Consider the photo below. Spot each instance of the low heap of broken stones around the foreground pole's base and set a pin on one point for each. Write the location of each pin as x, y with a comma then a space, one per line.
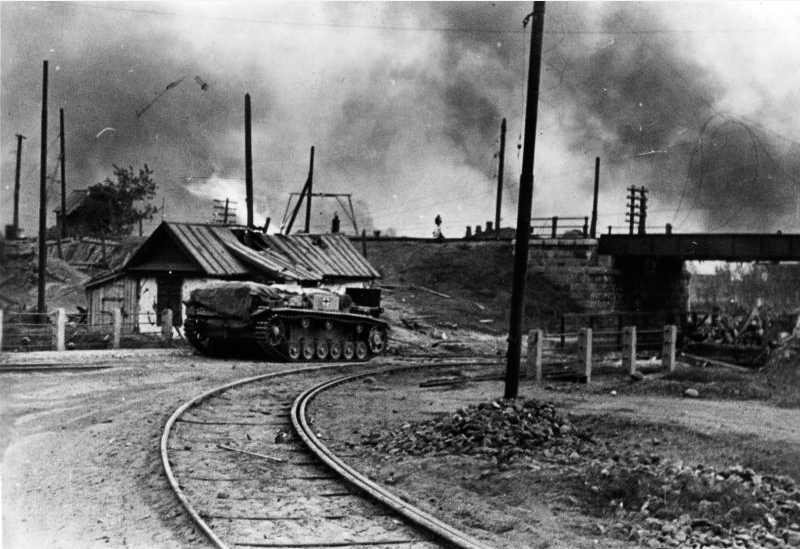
503, 429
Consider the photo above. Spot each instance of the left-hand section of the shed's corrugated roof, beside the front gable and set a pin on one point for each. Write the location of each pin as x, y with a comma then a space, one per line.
204, 245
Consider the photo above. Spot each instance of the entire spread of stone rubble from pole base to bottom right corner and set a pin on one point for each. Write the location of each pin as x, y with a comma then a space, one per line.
650, 501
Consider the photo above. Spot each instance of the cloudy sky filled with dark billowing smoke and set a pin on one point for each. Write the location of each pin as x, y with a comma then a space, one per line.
698, 102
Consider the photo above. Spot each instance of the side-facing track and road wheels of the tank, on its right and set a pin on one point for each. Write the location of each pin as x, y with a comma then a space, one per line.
313, 337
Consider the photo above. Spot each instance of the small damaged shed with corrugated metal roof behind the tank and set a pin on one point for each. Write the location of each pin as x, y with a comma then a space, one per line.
178, 257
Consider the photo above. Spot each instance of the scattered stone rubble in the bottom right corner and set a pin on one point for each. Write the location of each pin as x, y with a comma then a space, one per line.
676, 505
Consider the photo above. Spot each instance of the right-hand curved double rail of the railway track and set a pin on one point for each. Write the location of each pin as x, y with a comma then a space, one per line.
419, 517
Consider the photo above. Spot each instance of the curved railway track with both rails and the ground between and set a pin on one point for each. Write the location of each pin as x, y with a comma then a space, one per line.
247, 466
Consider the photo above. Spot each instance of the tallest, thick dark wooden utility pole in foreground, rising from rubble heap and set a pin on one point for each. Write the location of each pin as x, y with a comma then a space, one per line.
524, 208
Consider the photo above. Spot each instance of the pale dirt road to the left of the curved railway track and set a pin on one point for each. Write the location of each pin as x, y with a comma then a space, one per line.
80, 462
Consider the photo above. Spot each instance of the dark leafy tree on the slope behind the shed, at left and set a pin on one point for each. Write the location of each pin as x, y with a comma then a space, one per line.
115, 208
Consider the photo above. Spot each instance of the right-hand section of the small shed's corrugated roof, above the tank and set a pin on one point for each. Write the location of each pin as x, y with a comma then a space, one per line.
330, 255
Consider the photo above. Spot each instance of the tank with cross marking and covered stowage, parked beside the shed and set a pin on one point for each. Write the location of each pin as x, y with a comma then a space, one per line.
303, 325
